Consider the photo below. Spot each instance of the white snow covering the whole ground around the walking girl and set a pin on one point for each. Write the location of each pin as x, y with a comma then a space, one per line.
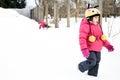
28, 53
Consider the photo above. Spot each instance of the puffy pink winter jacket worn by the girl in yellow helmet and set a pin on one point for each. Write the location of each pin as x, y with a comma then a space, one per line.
85, 32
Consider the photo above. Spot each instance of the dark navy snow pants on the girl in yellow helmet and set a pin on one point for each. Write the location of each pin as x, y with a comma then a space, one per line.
91, 64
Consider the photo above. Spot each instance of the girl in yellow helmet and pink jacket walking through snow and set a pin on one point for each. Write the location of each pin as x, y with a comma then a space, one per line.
92, 39
